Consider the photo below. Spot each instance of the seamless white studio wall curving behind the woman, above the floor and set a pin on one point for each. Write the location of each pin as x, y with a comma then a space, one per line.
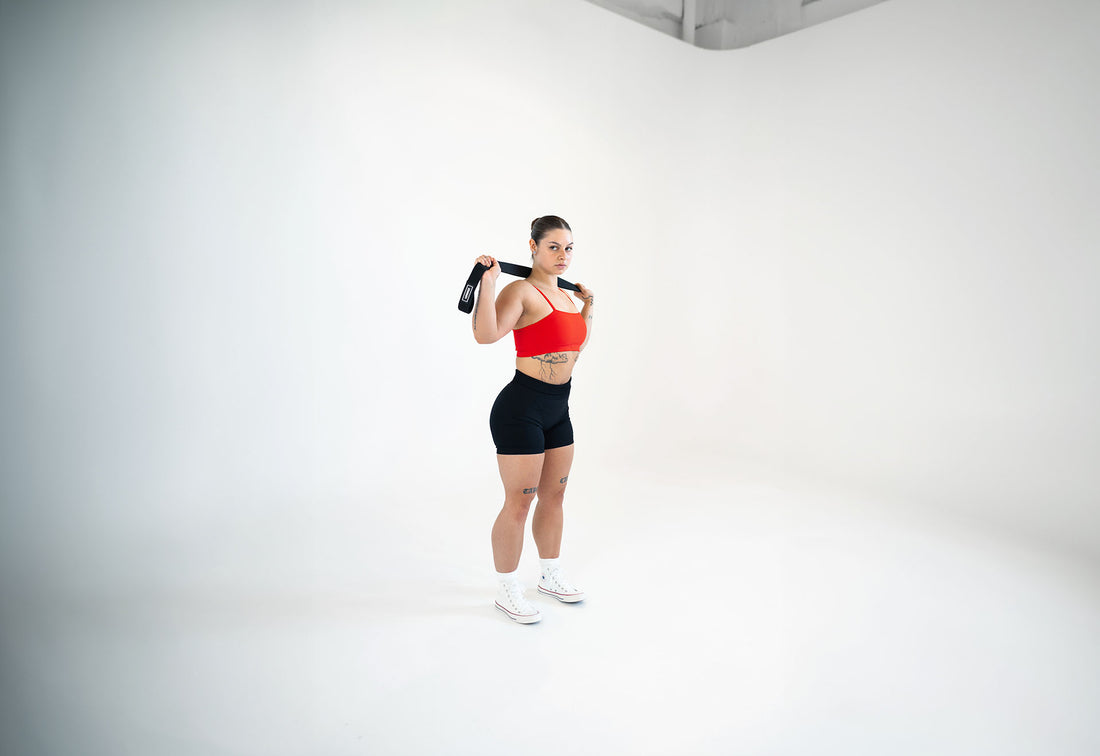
236, 235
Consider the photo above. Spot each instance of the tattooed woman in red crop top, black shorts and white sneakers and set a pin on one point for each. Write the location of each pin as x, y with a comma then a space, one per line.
531, 421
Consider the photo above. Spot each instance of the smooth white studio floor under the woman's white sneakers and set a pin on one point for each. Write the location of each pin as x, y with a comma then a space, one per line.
723, 619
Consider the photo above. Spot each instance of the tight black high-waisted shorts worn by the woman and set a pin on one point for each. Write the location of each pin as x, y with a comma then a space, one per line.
531, 417
